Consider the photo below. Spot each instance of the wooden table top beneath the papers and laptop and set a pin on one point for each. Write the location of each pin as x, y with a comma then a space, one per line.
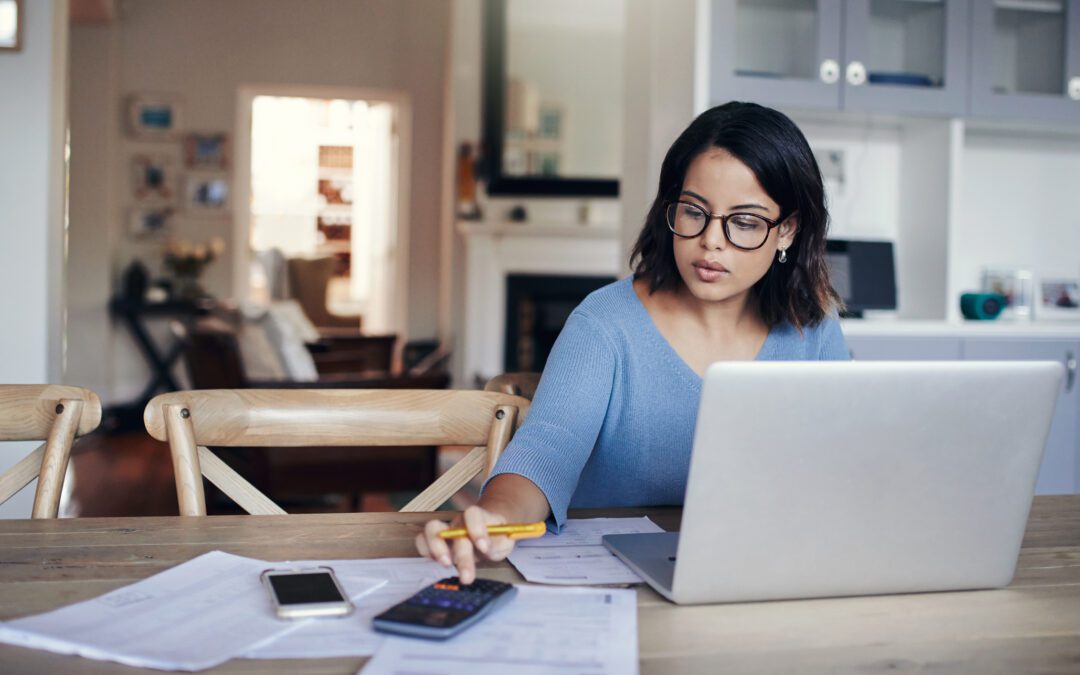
1034, 626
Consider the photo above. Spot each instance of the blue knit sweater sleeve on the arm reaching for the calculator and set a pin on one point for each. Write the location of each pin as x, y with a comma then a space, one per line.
568, 413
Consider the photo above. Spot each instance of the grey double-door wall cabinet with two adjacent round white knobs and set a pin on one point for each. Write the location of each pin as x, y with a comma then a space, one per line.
896, 57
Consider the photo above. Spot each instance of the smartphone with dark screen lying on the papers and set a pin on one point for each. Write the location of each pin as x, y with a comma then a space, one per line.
301, 593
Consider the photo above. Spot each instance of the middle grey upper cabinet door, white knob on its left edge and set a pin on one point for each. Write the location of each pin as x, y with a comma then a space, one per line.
907, 58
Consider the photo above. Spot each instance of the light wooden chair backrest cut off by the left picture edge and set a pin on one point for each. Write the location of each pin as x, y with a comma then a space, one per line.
51, 413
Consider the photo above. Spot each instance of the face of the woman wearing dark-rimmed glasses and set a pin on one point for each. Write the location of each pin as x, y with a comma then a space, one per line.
712, 269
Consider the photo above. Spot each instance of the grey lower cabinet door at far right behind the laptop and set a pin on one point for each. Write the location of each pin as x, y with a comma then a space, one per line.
1061, 463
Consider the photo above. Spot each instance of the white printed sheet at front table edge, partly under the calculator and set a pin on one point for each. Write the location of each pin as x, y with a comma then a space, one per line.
543, 631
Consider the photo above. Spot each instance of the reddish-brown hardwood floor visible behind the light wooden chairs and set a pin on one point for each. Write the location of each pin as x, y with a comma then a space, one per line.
130, 474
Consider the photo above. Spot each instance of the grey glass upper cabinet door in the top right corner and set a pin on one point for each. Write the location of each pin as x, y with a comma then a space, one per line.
1023, 61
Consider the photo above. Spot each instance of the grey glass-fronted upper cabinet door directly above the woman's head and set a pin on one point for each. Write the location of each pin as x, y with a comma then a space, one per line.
775, 52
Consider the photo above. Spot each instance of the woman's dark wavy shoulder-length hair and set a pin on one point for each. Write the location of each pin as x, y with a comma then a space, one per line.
771, 144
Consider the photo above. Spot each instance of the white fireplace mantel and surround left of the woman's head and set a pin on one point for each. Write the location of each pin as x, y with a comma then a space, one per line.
495, 250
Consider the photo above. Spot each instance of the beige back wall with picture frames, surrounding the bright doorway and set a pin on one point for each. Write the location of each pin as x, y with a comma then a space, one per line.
205, 51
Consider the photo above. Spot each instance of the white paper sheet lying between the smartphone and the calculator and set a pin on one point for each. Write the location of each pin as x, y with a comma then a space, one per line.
353, 636
